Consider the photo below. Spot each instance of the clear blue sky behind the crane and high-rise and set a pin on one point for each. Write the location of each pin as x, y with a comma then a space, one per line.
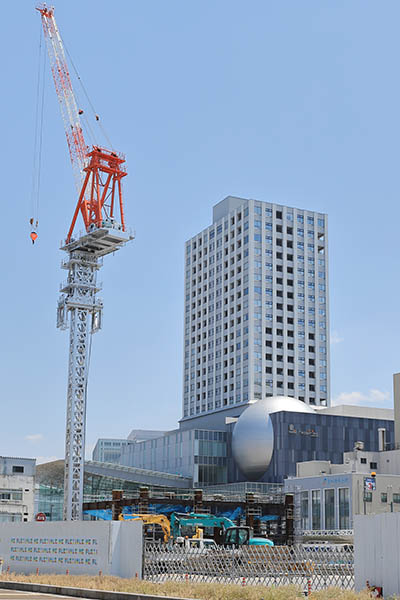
289, 102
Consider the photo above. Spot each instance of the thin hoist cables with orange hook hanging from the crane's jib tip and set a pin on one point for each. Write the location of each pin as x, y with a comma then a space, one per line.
38, 141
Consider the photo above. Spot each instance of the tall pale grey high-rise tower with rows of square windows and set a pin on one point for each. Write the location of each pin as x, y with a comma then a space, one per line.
256, 308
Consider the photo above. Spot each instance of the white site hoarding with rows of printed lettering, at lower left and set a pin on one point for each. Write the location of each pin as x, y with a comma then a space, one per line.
81, 547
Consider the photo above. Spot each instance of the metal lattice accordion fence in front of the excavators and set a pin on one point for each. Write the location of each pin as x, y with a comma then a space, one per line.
316, 566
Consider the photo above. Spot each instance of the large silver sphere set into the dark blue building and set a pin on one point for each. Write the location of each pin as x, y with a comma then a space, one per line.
253, 435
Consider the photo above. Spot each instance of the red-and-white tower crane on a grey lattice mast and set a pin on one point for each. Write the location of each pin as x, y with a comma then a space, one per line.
98, 174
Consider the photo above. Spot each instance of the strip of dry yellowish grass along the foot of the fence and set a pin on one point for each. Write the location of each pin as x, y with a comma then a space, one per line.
200, 591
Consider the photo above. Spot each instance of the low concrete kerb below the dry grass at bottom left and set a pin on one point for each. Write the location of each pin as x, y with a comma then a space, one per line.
79, 592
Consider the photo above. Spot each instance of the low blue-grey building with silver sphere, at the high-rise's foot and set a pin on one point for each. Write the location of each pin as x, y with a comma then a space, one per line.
276, 436
